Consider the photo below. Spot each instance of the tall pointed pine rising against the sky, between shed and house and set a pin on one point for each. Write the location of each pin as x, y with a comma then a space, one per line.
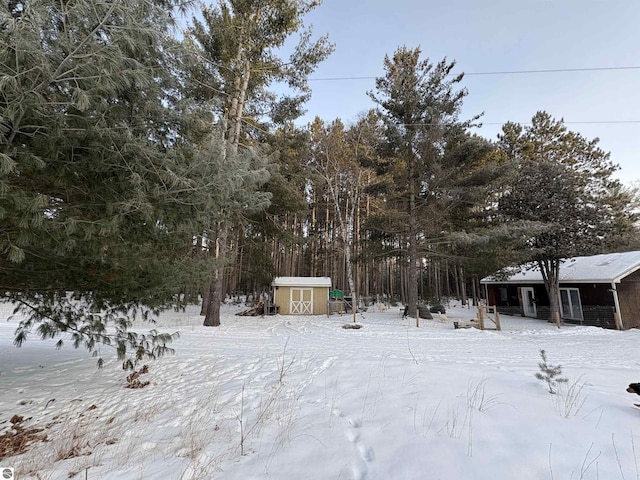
419, 105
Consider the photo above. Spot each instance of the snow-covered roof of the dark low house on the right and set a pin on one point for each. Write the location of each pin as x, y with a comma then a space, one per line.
607, 268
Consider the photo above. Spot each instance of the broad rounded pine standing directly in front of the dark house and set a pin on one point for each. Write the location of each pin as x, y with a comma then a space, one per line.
563, 187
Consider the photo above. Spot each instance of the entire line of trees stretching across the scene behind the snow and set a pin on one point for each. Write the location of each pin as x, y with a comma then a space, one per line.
142, 169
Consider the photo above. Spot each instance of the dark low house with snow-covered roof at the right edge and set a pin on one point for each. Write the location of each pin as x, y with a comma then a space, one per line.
599, 290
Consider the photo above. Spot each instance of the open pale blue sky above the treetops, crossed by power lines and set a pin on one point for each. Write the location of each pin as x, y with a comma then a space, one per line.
598, 39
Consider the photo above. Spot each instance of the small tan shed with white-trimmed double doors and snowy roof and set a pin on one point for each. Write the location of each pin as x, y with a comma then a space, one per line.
301, 295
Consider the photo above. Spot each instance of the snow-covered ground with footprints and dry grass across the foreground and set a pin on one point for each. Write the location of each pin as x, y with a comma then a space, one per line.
288, 397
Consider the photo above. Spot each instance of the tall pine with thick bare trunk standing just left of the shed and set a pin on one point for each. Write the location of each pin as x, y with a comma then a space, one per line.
237, 44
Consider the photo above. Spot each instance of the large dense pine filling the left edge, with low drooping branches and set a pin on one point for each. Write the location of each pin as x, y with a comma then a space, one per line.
100, 193
